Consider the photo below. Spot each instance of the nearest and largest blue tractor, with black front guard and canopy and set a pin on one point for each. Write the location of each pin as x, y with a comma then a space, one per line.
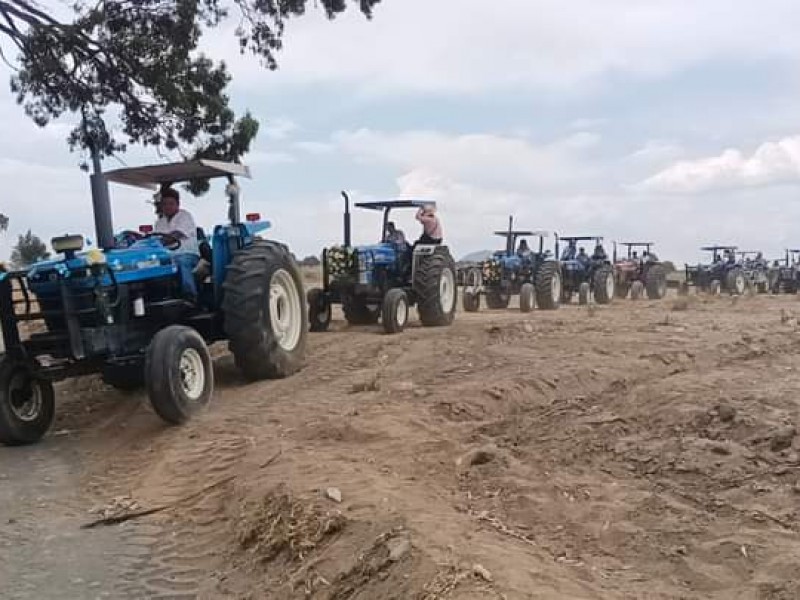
119, 311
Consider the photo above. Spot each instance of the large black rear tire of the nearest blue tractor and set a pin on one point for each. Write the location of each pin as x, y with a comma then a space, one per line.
256, 347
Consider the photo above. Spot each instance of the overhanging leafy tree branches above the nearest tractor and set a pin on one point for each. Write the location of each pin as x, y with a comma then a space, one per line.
140, 58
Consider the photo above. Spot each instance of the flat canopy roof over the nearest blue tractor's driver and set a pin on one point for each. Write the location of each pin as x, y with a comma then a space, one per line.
150, 176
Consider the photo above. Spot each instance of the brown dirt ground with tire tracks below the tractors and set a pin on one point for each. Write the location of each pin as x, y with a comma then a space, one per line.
643, 450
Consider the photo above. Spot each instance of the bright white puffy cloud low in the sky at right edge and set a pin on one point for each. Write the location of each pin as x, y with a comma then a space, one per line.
771, 163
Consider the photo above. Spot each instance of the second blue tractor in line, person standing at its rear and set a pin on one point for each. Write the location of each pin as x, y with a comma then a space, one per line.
381, 281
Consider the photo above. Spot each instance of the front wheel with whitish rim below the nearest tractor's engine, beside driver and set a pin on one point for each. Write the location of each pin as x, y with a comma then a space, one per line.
176, 390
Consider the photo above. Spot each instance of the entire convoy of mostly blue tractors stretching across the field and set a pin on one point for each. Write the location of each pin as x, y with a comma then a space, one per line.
119, 309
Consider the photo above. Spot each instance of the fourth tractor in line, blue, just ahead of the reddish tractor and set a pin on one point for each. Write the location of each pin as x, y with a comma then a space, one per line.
588, 275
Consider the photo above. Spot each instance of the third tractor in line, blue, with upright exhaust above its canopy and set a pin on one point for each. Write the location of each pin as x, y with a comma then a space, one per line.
516, 270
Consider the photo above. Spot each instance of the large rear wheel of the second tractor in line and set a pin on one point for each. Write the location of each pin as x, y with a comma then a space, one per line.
436, 273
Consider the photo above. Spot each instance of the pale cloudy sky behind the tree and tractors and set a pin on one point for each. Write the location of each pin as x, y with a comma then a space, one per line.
672, 120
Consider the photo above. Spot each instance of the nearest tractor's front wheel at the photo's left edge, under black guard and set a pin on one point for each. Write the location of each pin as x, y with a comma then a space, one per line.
27, 403
